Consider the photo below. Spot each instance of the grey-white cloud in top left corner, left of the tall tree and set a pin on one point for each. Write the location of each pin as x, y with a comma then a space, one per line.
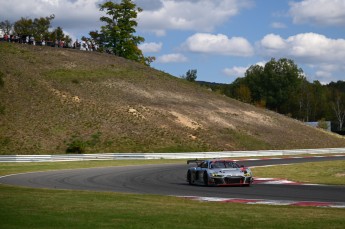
76, 17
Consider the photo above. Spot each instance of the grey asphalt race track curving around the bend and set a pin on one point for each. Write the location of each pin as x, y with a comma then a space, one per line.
170, 179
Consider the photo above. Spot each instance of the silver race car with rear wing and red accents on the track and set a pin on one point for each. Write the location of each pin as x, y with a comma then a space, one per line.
219, 172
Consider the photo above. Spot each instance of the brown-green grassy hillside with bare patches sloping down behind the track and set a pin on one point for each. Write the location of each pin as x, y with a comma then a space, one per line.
55, 98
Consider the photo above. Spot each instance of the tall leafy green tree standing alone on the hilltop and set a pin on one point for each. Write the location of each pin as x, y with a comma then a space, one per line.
117, 35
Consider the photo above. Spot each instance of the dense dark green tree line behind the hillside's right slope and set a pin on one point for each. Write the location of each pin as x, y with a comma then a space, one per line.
281, 86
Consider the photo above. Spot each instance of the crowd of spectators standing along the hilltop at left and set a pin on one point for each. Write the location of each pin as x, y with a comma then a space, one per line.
85, 45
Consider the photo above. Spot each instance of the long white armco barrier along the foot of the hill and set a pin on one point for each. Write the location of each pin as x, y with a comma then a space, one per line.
136, 156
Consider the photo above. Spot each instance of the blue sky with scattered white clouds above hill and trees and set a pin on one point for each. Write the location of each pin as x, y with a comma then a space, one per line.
221, 39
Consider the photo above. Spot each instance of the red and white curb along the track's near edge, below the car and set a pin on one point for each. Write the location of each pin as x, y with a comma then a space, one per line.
267, 202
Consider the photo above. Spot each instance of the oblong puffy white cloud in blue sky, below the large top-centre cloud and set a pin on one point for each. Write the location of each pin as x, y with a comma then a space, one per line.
218, 44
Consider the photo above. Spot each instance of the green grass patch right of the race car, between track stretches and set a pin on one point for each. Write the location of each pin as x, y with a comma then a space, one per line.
330, 172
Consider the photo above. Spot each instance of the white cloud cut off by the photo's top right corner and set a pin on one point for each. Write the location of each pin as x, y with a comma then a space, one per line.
319, 12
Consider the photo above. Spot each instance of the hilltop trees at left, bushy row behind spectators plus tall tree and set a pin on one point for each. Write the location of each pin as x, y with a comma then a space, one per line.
116, 37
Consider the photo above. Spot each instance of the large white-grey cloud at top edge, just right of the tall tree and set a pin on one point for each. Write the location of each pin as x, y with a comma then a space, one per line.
195, 15
